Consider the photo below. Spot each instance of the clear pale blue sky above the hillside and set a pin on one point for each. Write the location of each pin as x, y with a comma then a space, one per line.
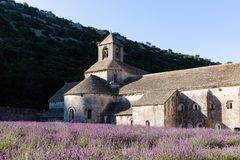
210, 28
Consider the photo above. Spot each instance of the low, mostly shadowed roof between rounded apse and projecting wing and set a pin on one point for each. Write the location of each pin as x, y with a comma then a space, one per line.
119, 108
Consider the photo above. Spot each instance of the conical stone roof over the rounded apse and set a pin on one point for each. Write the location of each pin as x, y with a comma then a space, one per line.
90, 85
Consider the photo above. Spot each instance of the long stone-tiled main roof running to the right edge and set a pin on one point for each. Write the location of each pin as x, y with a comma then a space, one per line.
189, 79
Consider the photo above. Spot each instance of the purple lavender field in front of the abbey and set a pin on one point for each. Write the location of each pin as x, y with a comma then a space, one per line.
63, 141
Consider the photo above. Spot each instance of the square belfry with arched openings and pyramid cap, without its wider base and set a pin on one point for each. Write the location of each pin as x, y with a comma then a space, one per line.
110, 49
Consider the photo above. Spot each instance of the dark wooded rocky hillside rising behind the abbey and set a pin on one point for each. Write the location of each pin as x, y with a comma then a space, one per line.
39, 52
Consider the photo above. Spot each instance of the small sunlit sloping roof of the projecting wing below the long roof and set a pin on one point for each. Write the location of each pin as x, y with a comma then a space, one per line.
154, 97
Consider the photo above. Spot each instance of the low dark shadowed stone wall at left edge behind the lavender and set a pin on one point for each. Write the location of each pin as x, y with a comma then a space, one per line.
19, 114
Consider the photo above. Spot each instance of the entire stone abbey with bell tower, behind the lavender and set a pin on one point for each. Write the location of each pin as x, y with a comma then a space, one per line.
114, 92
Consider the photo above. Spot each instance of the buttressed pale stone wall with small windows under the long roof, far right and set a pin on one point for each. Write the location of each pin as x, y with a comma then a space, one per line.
212, 111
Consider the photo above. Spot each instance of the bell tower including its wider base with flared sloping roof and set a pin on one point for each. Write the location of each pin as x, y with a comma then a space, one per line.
110, 65
